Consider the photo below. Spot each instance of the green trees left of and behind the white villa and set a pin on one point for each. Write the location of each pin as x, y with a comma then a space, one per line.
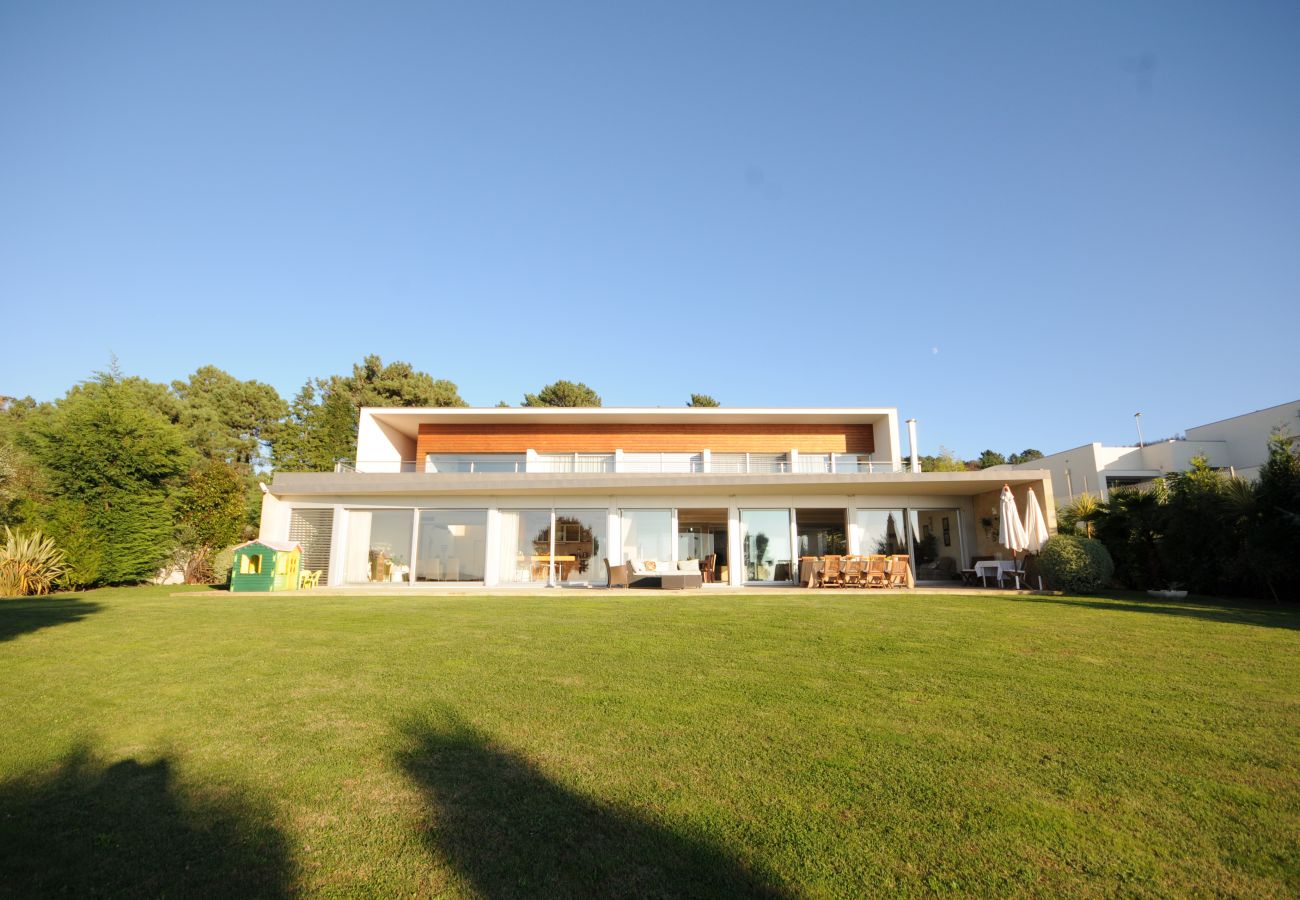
128, 477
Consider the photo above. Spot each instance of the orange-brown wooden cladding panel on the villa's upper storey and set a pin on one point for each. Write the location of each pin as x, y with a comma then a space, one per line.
644, 439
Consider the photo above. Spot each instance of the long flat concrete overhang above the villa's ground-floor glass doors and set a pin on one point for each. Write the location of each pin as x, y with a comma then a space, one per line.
374, 484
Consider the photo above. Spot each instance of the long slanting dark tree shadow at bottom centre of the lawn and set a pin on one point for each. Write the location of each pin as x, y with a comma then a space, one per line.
513, 832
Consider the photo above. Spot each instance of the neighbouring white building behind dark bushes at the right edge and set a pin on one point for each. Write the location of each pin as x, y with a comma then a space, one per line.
1240, 445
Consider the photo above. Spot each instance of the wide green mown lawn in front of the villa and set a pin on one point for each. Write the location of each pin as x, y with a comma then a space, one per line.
825, 746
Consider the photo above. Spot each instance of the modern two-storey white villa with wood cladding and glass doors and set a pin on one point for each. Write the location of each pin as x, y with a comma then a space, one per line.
504, 497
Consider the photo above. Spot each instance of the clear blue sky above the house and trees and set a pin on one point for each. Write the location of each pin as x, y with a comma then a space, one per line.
1017, 223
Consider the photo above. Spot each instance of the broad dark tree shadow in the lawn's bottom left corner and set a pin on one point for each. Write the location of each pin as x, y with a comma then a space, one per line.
129, 829
